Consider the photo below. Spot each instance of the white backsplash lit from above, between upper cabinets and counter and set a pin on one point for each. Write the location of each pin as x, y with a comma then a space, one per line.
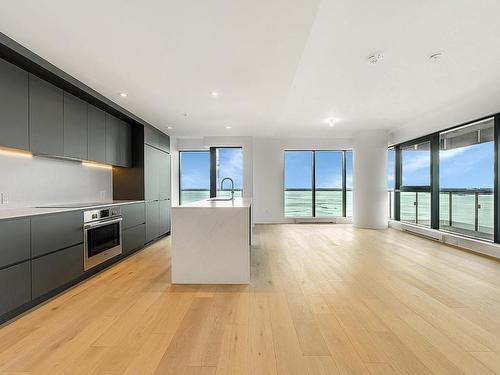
28, 182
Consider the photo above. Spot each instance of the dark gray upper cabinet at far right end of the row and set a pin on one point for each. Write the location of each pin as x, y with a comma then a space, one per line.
118, 142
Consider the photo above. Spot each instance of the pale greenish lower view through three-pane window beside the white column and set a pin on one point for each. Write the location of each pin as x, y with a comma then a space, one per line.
298, 202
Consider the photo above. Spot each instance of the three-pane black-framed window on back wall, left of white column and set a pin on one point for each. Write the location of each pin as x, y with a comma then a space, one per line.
318, 183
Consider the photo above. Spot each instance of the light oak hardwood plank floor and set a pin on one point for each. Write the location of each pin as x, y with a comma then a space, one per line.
324, 299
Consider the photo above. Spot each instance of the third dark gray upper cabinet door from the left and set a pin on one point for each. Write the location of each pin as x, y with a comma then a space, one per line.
75, 127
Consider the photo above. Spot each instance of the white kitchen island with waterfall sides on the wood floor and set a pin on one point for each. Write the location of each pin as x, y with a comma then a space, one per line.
211, 242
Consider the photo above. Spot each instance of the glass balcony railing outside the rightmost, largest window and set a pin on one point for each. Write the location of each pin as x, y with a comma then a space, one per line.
467, 211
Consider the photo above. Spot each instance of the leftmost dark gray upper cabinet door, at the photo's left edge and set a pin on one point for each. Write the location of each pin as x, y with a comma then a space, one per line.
13, 106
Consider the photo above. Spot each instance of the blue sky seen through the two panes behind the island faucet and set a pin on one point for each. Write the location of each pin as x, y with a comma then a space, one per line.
195, 168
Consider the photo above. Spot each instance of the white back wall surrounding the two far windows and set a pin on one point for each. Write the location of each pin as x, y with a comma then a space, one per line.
263, 160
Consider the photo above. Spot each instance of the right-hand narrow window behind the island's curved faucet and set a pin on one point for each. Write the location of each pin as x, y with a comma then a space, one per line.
229, 161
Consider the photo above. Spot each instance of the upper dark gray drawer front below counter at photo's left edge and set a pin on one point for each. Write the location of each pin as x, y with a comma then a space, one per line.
14, 241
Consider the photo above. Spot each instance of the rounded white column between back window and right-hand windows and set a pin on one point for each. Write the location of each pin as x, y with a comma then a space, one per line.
370, 179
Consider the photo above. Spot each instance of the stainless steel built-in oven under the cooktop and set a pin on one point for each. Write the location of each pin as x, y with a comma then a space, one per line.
102, 236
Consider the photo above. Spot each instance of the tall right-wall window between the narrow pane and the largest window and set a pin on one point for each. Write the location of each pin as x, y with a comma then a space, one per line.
415, 197
